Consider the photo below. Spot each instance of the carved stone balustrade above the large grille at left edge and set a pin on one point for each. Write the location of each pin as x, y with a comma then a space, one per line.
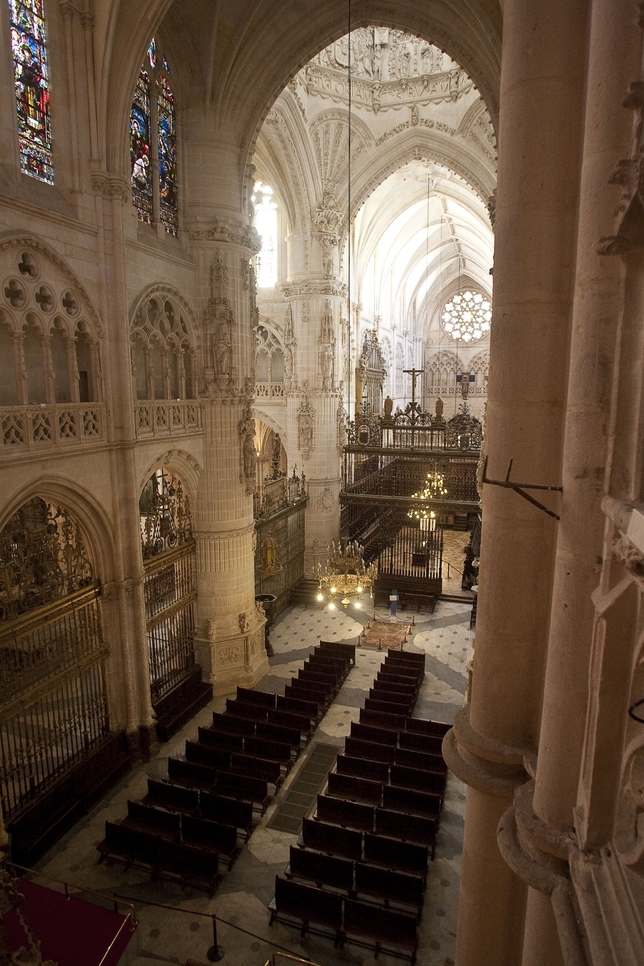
28, 429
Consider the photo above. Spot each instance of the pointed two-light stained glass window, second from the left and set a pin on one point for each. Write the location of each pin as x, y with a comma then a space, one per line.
153, 145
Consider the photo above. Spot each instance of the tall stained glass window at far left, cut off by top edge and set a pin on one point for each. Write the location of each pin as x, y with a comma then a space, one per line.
29, 47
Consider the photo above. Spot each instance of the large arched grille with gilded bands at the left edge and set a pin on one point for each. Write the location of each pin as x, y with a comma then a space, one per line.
53, 700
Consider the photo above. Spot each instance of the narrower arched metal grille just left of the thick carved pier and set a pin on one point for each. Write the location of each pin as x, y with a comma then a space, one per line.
170, 581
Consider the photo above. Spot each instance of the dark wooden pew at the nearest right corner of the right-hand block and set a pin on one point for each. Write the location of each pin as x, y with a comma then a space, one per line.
388, 931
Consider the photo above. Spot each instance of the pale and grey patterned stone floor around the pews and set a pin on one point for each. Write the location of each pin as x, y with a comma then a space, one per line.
173, 936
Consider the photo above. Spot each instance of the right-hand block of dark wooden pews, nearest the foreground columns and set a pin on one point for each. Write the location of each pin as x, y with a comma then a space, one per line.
358, 872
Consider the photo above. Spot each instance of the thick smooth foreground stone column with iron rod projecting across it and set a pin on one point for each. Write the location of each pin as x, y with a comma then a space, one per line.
496, 736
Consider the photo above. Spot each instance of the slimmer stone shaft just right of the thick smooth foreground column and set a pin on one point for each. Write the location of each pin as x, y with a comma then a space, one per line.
546, 822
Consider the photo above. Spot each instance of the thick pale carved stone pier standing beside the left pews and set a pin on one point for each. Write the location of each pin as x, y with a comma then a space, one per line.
230, 636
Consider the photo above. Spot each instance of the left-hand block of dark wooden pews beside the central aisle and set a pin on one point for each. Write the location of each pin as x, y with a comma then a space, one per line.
203, 811
